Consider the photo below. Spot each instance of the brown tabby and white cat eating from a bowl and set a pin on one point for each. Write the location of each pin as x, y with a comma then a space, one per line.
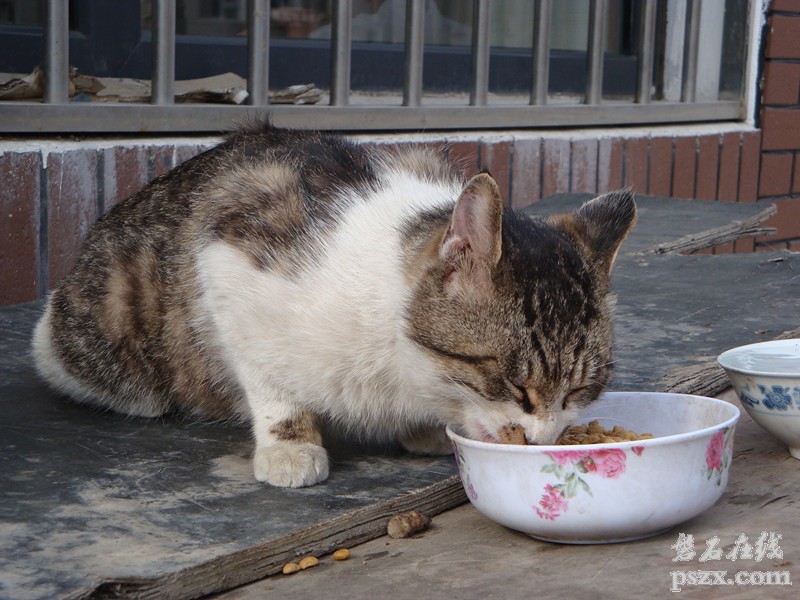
292, 279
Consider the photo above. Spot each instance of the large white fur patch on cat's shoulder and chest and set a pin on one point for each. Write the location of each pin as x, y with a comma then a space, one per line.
330, 337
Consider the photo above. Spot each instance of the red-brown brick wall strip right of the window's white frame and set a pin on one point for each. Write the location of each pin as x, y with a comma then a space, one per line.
779, 179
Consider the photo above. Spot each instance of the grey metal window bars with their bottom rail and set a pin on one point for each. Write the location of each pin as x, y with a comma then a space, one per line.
346, 112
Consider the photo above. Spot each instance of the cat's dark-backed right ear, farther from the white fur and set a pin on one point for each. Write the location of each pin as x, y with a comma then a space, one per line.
602, 224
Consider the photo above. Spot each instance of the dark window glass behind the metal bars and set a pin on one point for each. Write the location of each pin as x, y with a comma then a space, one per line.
113, 39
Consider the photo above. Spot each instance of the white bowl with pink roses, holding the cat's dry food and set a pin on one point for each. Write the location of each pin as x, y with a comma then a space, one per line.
613, 492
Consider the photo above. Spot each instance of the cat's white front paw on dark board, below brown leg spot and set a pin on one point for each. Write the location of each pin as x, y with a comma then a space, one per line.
291, 464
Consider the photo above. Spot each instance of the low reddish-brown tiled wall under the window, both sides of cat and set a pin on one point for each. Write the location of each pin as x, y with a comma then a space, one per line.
55, 192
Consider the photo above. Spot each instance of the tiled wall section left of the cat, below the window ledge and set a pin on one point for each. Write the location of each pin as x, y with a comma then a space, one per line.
51, 193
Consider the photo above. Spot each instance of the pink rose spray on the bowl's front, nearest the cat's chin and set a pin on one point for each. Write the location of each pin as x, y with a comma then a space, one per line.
568, 466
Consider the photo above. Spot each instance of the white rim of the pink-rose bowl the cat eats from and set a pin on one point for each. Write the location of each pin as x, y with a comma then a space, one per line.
655, 441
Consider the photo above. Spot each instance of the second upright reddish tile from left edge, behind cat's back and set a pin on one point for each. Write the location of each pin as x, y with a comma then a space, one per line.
71, 208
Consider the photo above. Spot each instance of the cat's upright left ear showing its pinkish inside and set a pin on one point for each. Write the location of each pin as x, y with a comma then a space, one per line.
474, 239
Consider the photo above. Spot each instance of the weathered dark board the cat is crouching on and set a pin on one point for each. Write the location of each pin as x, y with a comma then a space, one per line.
96, 505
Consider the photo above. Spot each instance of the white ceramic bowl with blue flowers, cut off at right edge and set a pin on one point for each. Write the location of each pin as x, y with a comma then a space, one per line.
766, 377
